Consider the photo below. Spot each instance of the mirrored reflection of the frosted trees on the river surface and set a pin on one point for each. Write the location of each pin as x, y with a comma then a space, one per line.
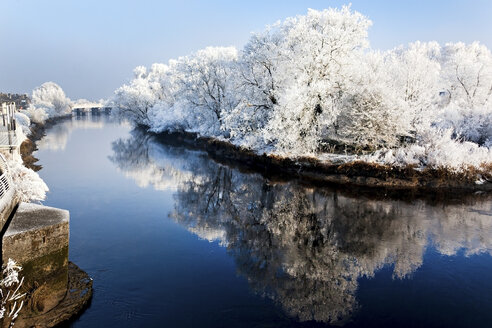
305, 248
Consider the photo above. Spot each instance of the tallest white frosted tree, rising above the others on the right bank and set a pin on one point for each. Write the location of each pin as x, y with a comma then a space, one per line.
320, 52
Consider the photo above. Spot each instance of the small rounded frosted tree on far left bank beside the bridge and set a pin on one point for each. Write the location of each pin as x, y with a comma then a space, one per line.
48, 101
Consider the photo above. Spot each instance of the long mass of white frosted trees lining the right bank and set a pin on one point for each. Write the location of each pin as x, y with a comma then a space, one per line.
311, 82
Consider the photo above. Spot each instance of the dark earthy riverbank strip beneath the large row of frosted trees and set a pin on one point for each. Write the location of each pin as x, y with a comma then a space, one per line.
356, 173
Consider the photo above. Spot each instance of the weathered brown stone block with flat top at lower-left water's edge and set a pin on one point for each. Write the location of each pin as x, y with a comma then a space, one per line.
37, 239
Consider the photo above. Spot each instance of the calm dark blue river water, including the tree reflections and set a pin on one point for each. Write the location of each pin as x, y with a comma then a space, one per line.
174, 239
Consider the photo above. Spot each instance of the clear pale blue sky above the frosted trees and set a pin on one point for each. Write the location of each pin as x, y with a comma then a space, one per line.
91, 47
